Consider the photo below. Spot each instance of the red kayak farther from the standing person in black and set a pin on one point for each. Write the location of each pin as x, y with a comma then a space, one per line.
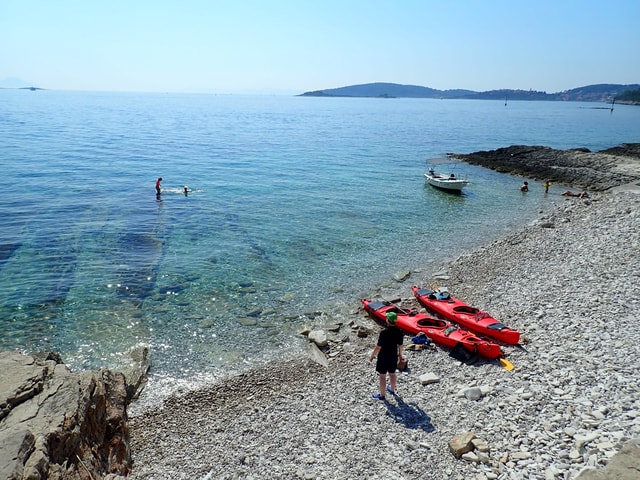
469, 317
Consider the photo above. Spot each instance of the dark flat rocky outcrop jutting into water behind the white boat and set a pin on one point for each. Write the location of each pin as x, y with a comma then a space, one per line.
595, 171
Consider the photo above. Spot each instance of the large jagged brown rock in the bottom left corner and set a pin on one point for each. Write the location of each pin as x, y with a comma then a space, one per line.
59, 424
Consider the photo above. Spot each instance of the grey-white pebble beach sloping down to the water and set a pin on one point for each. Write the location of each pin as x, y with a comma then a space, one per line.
570, 282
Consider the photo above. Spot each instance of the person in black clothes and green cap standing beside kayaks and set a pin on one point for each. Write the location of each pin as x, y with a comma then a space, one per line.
388, 351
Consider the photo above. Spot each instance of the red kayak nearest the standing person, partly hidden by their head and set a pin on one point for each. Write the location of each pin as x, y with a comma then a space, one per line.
440, 331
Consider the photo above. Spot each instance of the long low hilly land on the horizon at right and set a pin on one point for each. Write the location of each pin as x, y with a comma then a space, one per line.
629, 94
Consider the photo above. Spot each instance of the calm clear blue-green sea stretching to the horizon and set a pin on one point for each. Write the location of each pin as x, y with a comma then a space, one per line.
296, 205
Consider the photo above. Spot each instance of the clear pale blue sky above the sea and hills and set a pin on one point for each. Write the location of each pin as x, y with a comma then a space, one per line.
294, 46
